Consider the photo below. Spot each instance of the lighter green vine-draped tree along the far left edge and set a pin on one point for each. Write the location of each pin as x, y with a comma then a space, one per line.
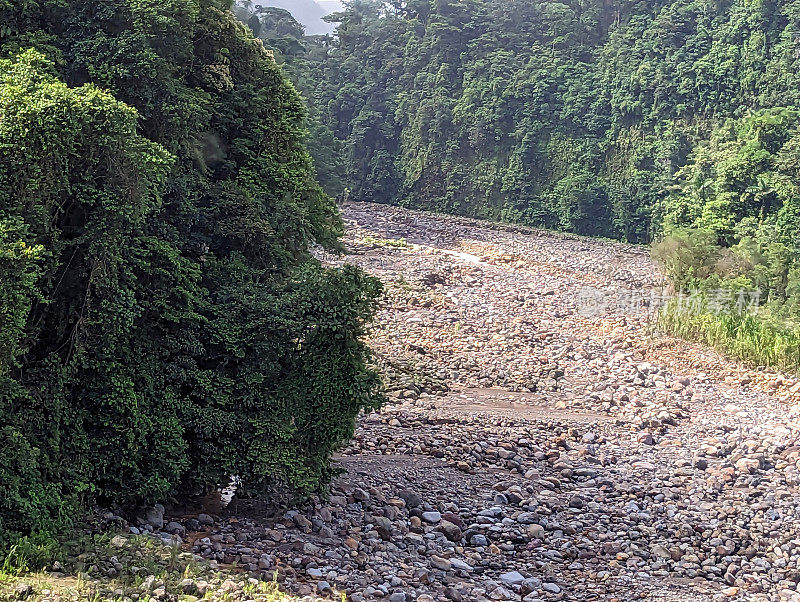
78, 182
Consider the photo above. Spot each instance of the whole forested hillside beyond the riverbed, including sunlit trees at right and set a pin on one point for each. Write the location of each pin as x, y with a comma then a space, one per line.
673, 121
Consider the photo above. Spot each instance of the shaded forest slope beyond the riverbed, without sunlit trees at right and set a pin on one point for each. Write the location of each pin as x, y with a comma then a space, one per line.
577, 116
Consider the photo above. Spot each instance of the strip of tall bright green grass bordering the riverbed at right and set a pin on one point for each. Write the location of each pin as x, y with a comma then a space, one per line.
758, 339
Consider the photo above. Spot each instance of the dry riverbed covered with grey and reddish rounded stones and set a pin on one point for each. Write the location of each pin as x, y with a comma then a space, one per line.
543, 441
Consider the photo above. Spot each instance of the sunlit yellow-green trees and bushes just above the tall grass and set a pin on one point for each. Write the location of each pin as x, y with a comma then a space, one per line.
738, 196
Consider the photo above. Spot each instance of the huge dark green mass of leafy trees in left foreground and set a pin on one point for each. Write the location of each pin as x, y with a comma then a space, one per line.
163, 323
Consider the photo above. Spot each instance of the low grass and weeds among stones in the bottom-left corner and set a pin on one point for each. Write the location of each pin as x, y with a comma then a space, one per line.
104, 567
